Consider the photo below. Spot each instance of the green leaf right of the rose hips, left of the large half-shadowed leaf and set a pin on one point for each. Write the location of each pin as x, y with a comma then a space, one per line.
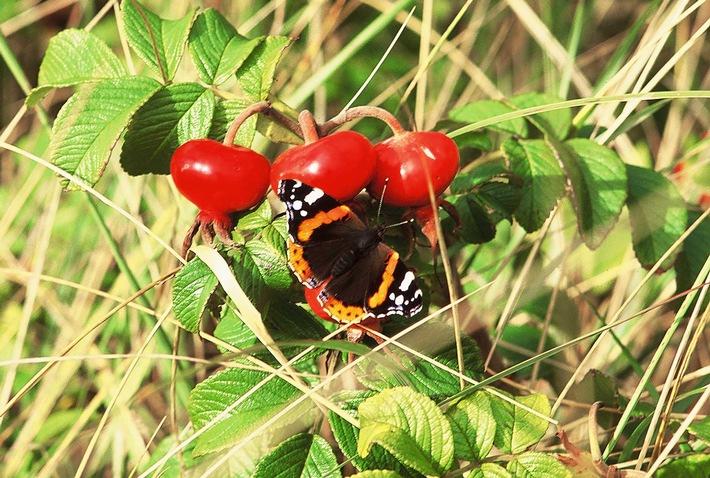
543, 180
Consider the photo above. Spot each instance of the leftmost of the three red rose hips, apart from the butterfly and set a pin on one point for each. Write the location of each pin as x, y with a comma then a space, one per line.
219, 179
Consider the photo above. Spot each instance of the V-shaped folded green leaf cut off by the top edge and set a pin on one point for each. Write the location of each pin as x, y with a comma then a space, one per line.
160, 43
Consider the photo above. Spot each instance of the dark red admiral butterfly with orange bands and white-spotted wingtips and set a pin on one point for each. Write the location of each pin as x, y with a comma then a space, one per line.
330, 246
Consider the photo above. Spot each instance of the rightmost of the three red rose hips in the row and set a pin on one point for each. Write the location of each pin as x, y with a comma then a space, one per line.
406, 160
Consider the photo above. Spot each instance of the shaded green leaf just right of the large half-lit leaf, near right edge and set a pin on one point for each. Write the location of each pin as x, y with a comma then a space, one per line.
657, 214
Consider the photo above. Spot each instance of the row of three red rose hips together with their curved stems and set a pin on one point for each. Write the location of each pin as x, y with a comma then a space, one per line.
221, 178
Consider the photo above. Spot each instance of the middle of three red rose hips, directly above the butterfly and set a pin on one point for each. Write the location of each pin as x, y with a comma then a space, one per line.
340, 164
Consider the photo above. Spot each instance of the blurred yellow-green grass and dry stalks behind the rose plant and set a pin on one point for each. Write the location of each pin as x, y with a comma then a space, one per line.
100, 398
